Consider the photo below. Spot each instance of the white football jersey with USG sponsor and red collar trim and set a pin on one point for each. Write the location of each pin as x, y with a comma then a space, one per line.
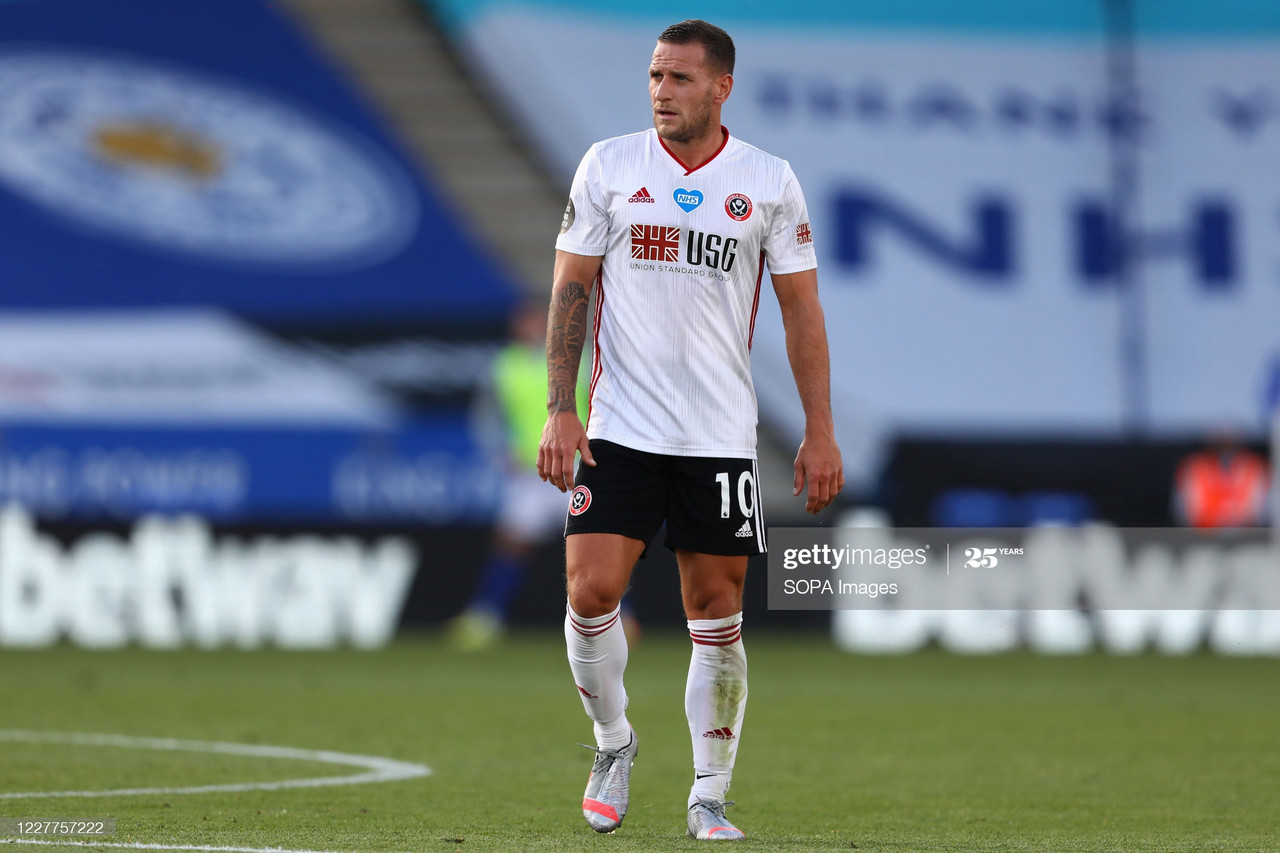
684, 256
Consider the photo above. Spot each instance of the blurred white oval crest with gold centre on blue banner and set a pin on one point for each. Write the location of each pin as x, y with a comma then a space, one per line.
189, 163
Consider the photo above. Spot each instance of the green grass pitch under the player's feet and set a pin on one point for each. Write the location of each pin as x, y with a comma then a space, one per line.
929, 752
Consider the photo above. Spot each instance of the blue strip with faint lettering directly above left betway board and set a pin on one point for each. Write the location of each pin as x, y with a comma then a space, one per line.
424, 471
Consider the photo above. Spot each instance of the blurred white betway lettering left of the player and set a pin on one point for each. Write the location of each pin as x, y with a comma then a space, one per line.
172, 582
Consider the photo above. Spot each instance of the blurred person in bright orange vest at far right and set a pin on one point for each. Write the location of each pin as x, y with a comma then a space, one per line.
1223, 486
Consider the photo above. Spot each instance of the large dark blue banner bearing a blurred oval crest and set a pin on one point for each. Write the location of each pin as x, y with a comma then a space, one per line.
203, 153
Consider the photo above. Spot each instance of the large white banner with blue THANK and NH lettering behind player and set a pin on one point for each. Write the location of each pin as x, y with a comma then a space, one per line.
973, 172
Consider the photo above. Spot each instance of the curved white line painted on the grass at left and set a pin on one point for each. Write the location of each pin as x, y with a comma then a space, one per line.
377, 770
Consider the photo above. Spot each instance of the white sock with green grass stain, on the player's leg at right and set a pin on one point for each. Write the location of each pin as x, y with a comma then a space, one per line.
715, 703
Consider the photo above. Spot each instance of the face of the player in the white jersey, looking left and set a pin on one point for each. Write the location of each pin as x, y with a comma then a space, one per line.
684, 92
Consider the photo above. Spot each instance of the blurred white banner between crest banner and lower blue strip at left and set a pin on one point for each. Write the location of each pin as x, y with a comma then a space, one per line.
172, 367
